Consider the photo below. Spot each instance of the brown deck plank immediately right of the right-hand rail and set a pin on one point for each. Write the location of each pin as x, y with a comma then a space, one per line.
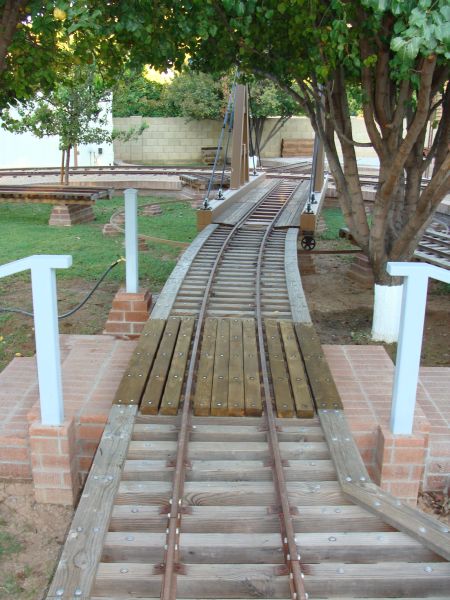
280, 376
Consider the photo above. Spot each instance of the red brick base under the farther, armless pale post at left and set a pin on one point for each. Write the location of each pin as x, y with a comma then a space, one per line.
128, 314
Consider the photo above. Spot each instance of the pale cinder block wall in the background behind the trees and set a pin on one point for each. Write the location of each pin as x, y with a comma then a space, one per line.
178, 140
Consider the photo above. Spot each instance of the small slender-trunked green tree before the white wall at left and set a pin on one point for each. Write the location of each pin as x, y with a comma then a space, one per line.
72, 111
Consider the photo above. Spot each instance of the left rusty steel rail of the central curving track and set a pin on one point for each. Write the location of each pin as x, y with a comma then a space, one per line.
168, 591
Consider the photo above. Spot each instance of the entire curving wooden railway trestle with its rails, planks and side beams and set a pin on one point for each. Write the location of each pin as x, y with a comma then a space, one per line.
227, 469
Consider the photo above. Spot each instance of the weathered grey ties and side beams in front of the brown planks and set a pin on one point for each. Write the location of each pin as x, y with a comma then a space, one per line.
229, 544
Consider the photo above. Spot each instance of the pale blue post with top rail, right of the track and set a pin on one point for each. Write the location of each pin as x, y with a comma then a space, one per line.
410, 339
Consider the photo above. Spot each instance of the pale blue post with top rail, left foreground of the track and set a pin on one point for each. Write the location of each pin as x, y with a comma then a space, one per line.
45, 309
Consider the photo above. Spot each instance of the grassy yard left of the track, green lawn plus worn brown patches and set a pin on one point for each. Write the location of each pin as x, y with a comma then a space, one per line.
24, 230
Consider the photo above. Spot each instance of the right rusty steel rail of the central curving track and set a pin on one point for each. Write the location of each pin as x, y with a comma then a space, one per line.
292, 556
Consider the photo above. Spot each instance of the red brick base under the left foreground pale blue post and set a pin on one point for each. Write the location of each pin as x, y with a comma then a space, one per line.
54, 462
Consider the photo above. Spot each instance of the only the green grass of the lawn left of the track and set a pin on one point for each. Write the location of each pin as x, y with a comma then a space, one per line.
24, 231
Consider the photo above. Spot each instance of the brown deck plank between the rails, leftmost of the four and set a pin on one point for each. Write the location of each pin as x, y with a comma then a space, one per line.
203, 387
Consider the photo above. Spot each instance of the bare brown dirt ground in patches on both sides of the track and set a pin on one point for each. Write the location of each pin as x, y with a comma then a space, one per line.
31, 535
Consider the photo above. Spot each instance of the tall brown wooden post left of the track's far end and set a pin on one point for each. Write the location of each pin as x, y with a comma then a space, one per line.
240, 140
